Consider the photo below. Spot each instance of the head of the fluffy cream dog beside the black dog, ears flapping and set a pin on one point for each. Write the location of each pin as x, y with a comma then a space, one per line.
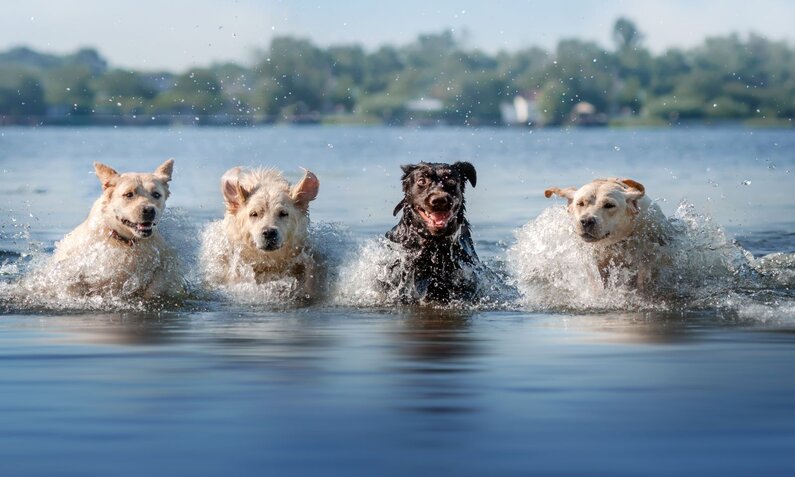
267, 212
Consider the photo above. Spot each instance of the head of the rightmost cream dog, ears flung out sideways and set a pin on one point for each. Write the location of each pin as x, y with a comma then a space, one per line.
604, 210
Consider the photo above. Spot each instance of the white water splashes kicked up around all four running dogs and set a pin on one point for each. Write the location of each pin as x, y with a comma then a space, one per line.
548, 268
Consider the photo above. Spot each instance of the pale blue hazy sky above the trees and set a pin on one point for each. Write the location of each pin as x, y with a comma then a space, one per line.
178, 34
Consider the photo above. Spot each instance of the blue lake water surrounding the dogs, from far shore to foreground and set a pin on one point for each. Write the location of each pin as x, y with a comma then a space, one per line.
554, 382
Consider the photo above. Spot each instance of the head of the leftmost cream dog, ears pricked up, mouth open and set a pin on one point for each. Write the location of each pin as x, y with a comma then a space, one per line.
134, 202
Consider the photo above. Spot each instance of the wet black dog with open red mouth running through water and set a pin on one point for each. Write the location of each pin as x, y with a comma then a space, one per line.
439, 263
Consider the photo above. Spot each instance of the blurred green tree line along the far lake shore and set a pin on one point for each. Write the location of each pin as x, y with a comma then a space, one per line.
724, 78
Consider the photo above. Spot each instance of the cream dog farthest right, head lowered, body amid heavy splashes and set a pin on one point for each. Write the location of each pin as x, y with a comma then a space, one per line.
625, 228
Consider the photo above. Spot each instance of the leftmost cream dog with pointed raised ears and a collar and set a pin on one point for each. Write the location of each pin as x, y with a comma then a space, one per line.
118, 250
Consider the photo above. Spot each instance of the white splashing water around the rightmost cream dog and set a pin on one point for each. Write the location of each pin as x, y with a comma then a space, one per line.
555, 270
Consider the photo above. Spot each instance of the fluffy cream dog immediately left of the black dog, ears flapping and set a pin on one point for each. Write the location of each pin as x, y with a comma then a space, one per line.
264, 231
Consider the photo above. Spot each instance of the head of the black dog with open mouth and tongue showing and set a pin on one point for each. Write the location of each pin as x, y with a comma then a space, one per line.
433, 195
